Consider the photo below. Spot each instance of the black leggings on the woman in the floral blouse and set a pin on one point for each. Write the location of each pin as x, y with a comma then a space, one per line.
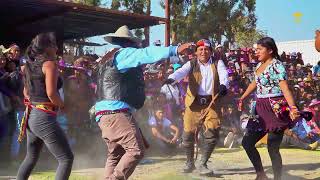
274, 141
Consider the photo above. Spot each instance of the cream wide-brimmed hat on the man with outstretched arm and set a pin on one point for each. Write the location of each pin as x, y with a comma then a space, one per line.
122, 32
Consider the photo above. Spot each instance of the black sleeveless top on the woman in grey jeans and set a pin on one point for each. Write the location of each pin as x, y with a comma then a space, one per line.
37, 90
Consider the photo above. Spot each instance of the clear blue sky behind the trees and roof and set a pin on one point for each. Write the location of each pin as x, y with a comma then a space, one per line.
276, 17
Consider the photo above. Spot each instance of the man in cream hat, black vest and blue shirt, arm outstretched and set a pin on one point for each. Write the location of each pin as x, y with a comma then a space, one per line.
120, 90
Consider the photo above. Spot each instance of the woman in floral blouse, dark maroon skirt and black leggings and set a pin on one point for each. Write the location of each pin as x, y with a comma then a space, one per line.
275, 108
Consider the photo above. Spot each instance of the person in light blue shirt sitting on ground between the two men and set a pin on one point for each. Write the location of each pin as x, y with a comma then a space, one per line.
165, 134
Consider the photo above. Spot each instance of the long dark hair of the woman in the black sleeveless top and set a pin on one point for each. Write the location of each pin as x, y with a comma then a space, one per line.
36, 55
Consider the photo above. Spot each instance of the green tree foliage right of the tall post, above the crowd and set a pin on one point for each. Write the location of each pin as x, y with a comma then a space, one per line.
213, 19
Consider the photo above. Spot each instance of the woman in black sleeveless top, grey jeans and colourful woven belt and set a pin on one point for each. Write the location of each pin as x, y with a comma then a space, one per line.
42, 102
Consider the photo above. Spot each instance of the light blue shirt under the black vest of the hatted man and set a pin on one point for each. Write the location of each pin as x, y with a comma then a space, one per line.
127, 58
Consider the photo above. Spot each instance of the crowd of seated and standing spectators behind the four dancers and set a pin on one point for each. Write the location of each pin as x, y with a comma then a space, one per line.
161, 117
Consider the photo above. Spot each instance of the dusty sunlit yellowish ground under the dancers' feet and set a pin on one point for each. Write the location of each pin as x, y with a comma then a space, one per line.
227, 164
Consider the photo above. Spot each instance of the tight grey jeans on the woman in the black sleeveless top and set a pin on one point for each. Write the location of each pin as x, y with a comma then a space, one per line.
43, 129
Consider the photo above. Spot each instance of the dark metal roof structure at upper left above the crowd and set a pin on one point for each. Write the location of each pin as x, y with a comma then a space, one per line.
23, 19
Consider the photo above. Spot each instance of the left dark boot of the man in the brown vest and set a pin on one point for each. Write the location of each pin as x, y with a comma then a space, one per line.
188, 142
